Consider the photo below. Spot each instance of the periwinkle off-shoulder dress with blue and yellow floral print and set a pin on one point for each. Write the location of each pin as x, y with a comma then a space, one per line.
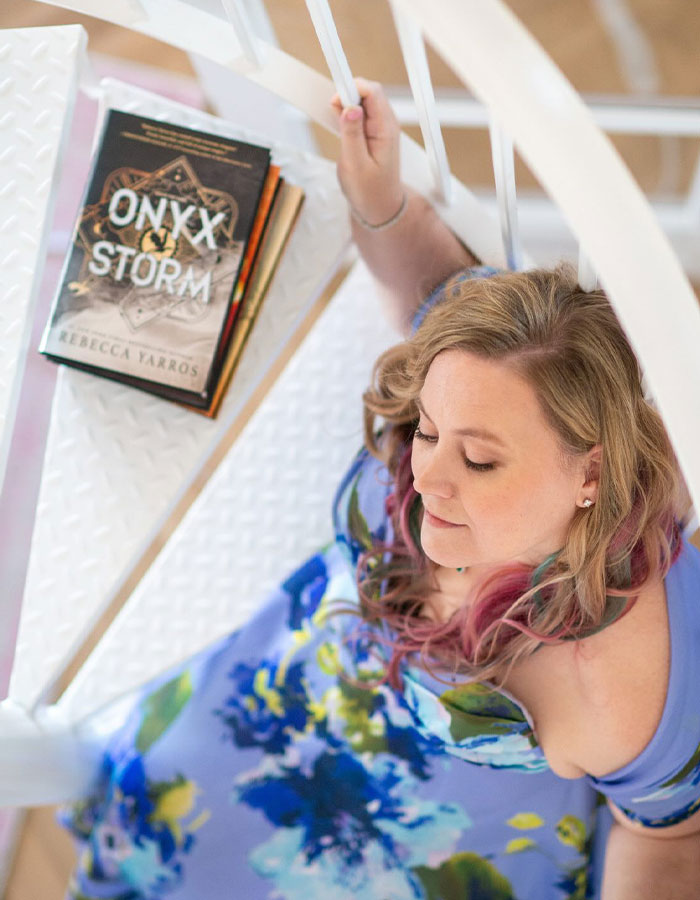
273, 766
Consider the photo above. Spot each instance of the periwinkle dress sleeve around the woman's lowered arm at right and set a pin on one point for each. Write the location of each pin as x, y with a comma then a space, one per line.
661, 787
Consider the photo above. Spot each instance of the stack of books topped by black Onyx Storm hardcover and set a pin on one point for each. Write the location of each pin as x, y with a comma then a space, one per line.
178, 237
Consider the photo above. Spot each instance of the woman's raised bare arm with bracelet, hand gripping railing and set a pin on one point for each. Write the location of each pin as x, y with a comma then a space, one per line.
417, 252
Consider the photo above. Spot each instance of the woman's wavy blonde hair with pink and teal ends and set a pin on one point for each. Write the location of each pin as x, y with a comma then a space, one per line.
570, 347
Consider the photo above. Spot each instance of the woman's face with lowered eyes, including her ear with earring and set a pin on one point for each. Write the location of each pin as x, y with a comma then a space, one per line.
495, 484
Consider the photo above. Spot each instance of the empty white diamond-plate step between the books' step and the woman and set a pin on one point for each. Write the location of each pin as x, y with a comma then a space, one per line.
267, 507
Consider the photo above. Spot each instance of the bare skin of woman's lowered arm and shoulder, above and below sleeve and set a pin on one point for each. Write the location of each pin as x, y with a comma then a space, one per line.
597, 703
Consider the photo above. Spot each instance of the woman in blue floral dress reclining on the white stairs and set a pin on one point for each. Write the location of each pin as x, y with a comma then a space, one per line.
503, 627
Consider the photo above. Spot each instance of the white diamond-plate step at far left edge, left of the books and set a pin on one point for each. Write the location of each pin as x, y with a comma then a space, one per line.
38, 83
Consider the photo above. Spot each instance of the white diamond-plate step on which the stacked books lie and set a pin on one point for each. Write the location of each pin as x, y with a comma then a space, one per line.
116, 458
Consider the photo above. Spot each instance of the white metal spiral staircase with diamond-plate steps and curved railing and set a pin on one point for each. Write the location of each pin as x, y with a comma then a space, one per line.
120, 466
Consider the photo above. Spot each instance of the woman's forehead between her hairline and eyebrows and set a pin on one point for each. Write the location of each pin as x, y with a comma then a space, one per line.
464, 391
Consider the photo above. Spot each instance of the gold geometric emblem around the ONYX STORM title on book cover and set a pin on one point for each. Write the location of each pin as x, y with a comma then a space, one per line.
158, 243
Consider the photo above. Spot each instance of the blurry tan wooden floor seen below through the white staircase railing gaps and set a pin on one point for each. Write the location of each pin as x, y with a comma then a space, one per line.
572, 35
